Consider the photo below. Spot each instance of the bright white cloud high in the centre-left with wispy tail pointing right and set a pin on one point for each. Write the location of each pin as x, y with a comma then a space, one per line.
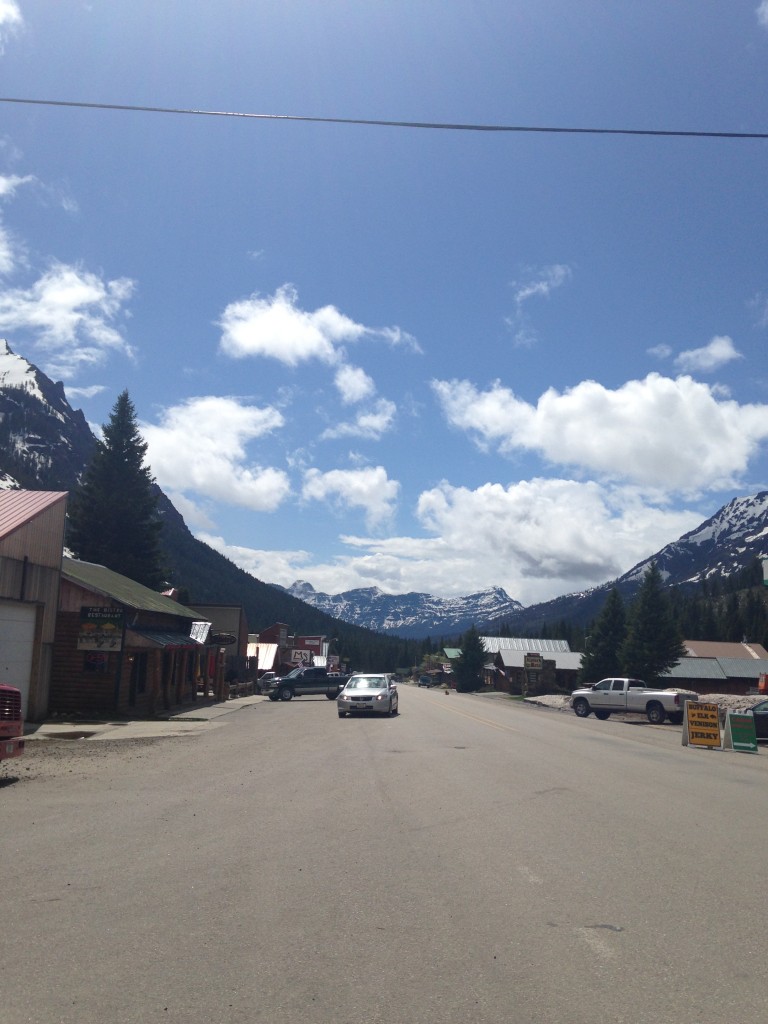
277, 328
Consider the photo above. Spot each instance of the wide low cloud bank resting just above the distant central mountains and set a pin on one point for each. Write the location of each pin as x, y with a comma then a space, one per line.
537, 539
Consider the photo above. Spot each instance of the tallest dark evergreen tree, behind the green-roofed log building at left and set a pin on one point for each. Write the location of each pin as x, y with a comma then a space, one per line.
114, 519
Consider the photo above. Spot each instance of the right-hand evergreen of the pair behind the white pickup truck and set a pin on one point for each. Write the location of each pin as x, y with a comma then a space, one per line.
654, 644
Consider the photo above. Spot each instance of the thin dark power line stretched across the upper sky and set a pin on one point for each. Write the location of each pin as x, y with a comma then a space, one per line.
434, 125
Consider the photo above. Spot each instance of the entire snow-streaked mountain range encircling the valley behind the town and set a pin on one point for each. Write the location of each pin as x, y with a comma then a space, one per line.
46, 445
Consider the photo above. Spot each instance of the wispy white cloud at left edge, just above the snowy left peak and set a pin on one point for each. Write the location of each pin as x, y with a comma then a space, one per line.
69, 312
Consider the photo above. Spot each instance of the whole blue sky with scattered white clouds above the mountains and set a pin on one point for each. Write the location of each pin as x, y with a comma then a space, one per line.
417, 359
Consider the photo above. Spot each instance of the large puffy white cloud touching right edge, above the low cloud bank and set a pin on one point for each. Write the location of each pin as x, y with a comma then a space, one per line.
673, 435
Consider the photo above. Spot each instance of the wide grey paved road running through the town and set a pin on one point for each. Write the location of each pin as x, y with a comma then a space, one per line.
472, 861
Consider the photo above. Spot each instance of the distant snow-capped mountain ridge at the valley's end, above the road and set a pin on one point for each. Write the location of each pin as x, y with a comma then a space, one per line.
410, 615
